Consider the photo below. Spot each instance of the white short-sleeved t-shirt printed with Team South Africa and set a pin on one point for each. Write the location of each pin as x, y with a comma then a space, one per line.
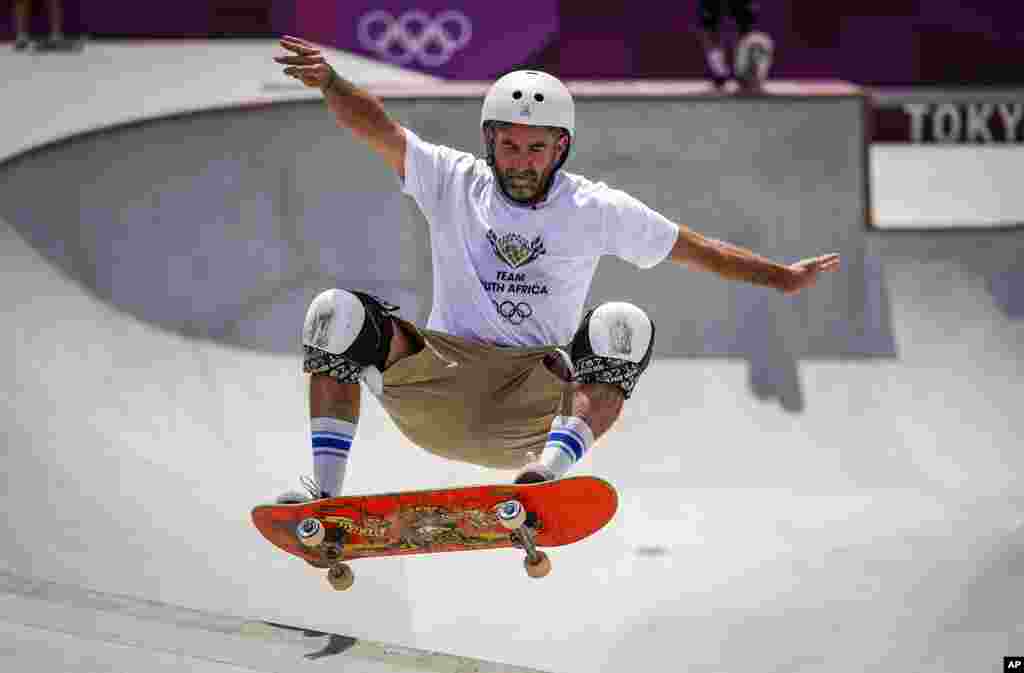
516, 276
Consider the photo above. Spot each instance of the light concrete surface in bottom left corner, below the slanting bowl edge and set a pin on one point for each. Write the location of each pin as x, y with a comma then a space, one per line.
72, 629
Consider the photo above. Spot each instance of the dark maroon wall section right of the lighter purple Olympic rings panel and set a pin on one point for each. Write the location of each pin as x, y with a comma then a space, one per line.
880, 43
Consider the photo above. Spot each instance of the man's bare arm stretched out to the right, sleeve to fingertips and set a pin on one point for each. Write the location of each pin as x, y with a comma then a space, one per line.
701, 254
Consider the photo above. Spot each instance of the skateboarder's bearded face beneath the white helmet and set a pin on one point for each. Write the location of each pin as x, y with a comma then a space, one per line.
526, 157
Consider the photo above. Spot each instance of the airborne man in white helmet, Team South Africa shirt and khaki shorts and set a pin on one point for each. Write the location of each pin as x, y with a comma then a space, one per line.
509, 372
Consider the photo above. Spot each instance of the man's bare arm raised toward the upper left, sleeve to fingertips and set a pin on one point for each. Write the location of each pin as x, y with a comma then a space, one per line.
354, 108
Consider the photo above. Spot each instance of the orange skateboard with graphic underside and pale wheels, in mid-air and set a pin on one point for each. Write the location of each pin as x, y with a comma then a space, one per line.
327, 533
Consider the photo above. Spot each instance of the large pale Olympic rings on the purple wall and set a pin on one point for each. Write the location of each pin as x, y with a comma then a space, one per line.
415, 36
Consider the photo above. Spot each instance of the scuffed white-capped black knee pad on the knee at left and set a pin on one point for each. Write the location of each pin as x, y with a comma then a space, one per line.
346, 357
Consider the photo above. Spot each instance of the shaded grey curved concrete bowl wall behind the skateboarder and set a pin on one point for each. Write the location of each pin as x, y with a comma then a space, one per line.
224, 225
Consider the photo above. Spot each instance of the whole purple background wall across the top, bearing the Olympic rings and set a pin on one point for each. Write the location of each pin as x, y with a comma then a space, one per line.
873, 43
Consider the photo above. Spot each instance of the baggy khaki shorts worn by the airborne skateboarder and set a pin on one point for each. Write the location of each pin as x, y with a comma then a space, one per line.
475, 403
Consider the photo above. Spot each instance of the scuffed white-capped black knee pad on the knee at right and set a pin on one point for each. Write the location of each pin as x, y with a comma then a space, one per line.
609, 347
